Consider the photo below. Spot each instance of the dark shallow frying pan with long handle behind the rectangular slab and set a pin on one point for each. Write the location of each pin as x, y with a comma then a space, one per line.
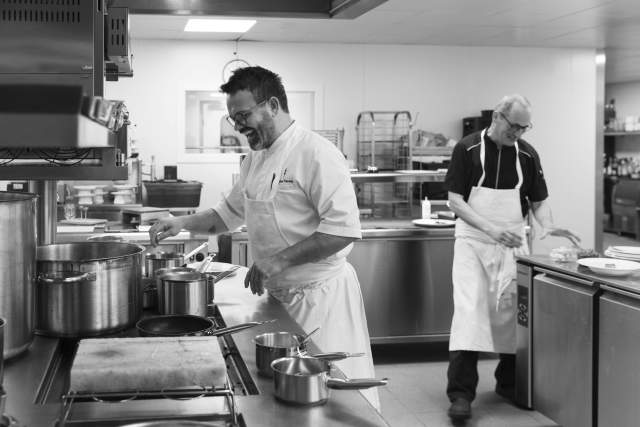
177, 325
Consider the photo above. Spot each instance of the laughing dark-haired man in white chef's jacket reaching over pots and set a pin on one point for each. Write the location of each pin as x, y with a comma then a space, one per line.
297, 200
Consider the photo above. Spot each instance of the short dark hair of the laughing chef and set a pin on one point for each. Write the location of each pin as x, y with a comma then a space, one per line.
262, 83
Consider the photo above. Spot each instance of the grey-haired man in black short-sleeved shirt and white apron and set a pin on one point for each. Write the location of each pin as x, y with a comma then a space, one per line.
493, 180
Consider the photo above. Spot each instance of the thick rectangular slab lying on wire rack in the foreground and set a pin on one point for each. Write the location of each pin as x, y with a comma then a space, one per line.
147, 364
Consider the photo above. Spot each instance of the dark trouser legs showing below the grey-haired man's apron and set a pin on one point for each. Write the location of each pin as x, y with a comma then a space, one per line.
462, 374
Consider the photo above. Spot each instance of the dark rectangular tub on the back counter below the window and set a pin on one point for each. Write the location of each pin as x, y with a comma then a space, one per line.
180, 194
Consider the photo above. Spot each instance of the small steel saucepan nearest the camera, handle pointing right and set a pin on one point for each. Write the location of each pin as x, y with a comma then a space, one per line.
307, 381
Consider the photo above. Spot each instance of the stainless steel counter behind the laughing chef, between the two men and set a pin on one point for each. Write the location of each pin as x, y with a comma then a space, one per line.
405, 276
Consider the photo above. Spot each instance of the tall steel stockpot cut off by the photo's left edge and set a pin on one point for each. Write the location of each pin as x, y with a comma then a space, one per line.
17, 269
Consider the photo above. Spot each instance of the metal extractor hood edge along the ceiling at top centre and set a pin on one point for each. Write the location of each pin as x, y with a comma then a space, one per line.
317, 9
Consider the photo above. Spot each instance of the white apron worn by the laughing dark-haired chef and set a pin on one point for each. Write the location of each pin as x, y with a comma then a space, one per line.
328, 297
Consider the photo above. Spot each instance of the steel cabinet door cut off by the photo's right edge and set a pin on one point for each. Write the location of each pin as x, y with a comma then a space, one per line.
619, 352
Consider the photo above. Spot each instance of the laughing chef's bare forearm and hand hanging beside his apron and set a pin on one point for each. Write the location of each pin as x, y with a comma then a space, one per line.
313, 248
